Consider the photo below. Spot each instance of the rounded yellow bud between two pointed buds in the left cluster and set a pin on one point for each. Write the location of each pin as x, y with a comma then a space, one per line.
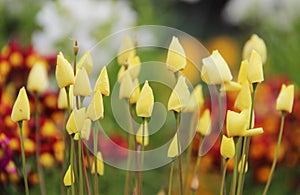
82, 85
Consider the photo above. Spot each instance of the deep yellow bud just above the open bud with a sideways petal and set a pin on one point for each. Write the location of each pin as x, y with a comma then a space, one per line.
243, 100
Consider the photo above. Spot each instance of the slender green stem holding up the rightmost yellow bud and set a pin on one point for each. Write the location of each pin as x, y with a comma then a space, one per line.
276, 154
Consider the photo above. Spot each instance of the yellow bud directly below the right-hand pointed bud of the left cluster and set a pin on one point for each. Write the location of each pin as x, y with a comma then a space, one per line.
95, 109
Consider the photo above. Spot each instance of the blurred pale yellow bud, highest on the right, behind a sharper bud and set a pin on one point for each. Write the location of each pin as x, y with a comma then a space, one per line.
257, 44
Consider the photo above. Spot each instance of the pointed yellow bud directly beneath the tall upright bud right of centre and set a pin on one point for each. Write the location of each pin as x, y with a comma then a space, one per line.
180, 96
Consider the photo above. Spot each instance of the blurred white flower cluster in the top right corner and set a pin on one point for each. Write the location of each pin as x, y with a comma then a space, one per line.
280, 14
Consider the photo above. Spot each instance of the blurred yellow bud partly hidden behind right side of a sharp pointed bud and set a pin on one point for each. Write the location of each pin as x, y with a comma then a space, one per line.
196, 100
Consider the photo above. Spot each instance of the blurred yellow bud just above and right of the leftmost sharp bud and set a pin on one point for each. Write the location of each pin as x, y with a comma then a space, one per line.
37, 78
